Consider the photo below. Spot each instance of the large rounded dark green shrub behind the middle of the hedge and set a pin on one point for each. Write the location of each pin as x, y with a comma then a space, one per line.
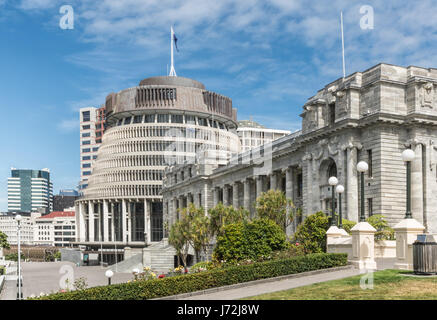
249, 241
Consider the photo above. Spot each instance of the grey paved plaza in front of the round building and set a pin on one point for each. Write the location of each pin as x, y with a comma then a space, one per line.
46, 276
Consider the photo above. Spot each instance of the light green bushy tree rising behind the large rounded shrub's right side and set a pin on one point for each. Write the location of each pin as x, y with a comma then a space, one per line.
275, 206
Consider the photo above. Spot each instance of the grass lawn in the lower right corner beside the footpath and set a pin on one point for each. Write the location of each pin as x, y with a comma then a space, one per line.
387, 285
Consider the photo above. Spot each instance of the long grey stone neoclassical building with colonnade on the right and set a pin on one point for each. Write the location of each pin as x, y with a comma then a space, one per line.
369, 116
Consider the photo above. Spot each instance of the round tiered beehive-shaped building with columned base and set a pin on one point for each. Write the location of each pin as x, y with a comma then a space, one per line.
161, 122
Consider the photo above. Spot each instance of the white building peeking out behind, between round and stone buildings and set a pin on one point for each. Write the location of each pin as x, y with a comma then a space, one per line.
252, 134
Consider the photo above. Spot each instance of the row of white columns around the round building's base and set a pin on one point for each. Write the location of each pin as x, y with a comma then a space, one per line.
126, 220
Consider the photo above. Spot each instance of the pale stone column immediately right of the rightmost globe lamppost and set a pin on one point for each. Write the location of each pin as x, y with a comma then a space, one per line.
417, 185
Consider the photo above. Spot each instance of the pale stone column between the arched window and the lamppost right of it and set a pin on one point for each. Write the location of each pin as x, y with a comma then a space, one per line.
351, 186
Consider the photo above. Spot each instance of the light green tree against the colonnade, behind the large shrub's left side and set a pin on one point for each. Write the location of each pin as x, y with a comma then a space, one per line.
221, 216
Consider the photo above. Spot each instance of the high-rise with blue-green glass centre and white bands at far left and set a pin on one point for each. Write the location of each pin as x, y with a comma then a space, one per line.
30, 191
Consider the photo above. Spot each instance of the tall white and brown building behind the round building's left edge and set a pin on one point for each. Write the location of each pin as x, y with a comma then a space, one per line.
92, 126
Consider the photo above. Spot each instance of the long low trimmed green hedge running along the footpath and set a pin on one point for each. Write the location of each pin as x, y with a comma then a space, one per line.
156, 288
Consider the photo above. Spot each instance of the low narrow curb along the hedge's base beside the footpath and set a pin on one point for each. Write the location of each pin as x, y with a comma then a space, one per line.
255, 282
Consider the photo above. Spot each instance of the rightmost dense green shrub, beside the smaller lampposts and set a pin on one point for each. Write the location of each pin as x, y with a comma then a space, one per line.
311, 234
